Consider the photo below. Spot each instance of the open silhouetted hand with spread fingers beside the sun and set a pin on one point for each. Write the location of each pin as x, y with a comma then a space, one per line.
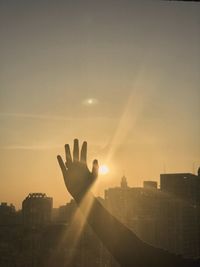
78, 179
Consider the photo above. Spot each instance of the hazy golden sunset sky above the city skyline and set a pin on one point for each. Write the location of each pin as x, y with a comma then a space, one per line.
122, 75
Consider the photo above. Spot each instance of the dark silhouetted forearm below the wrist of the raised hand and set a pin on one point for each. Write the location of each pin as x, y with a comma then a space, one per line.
122, 243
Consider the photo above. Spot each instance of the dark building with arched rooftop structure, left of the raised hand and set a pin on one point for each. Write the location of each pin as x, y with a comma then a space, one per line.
36, 209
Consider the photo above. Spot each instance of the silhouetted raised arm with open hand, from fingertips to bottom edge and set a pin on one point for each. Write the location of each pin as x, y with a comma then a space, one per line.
122, 243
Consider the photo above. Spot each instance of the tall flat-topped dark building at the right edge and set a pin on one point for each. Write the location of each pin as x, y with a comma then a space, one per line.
181, 213
